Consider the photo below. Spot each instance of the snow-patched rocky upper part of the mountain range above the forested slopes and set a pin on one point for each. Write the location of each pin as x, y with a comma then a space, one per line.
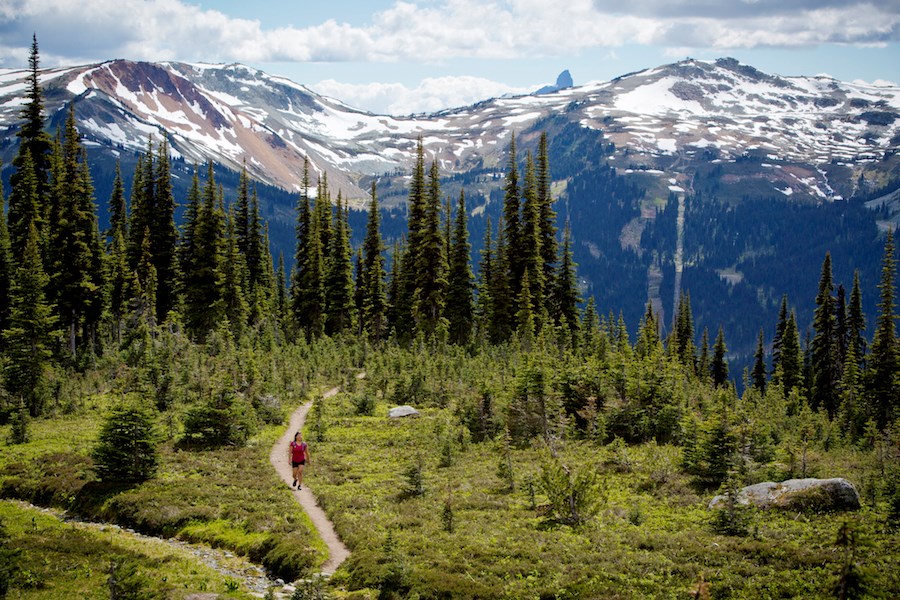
814, 135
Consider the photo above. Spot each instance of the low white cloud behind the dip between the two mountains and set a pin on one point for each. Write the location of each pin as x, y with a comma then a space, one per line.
432, 94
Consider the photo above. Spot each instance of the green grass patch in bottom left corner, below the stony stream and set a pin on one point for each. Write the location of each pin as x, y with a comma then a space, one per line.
62, 560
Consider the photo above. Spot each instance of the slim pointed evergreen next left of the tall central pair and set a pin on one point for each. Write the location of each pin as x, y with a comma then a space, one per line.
374, 297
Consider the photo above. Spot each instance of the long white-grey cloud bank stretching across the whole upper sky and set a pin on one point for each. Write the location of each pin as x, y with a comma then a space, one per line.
439, 30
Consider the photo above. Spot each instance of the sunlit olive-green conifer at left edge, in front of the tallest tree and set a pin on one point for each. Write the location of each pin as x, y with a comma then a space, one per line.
29, 336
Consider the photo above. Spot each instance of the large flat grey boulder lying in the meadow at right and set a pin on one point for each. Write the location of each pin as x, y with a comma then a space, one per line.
813, 495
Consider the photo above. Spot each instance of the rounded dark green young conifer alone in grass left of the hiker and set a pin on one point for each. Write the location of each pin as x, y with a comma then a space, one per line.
126, 447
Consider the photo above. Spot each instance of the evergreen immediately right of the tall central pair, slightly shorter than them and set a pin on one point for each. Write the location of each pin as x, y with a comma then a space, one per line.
460, 284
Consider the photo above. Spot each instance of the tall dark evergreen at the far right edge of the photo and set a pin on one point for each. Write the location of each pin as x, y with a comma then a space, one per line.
882, 386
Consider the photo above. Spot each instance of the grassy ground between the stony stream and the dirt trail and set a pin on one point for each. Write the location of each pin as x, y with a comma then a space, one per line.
229, 498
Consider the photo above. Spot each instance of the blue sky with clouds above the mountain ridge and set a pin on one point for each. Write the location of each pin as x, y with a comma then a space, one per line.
392, 56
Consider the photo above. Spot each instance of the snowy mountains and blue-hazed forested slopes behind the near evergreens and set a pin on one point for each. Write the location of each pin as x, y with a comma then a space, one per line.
751, 175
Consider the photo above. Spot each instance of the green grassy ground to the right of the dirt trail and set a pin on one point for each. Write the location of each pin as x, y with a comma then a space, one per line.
652, 537
